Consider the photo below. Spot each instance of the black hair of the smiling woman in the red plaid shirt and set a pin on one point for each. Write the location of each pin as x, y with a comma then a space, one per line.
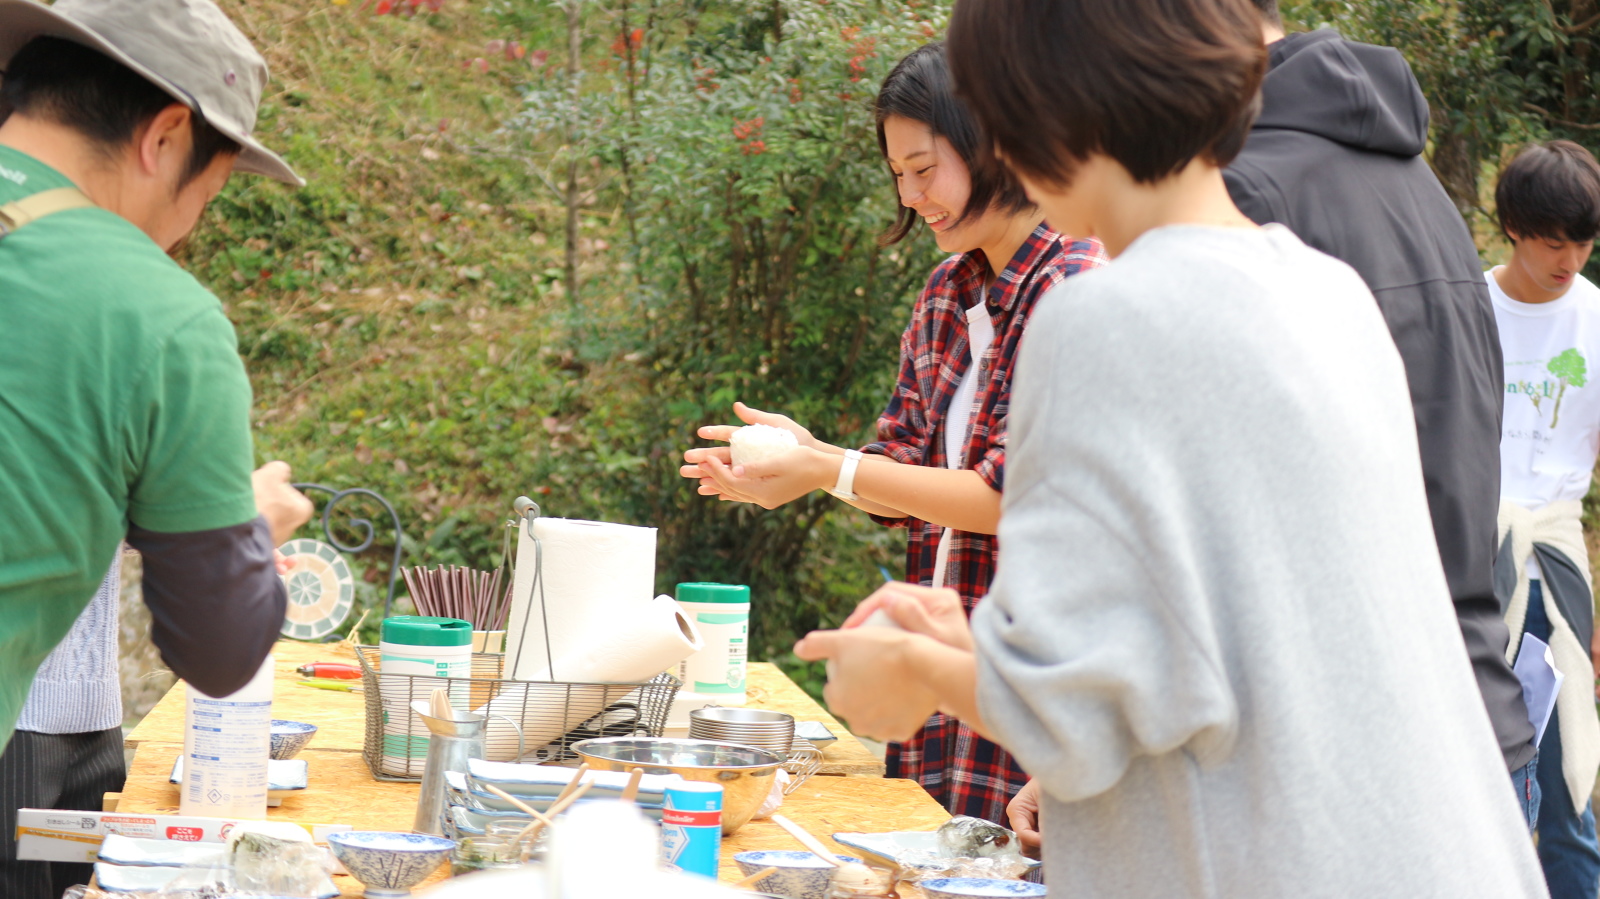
921, 90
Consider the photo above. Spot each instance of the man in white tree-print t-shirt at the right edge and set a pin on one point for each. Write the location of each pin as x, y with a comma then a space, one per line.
1550, 326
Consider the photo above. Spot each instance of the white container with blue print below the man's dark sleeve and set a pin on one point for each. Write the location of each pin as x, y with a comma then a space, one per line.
226, 746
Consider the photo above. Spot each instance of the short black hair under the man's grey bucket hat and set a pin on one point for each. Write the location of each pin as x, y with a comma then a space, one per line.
82, 89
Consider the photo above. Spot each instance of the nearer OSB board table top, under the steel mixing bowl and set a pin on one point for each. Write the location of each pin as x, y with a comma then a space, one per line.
342, 791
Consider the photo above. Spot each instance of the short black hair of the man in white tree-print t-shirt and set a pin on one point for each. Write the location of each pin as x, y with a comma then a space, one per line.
1551, 191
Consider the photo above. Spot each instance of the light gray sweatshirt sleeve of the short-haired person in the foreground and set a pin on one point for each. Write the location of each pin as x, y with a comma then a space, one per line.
1087, 660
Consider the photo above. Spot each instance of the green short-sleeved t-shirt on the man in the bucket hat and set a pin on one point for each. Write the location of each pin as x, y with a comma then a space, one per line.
122, 401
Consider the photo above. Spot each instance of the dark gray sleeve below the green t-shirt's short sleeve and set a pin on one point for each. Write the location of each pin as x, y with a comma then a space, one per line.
217, 602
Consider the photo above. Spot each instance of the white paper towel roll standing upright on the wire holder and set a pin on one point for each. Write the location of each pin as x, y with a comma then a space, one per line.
596, 575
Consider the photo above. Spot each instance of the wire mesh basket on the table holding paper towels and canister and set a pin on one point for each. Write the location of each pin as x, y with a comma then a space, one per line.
527, 721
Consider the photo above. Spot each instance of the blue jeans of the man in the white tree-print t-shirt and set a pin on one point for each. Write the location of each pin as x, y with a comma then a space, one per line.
1567, 839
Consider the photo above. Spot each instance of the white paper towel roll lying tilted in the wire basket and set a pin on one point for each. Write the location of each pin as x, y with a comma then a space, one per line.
633, 650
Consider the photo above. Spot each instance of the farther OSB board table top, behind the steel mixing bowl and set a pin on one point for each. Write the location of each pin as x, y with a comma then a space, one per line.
342, 717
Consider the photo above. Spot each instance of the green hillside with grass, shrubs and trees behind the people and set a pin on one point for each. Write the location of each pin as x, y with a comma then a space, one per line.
406, 318
